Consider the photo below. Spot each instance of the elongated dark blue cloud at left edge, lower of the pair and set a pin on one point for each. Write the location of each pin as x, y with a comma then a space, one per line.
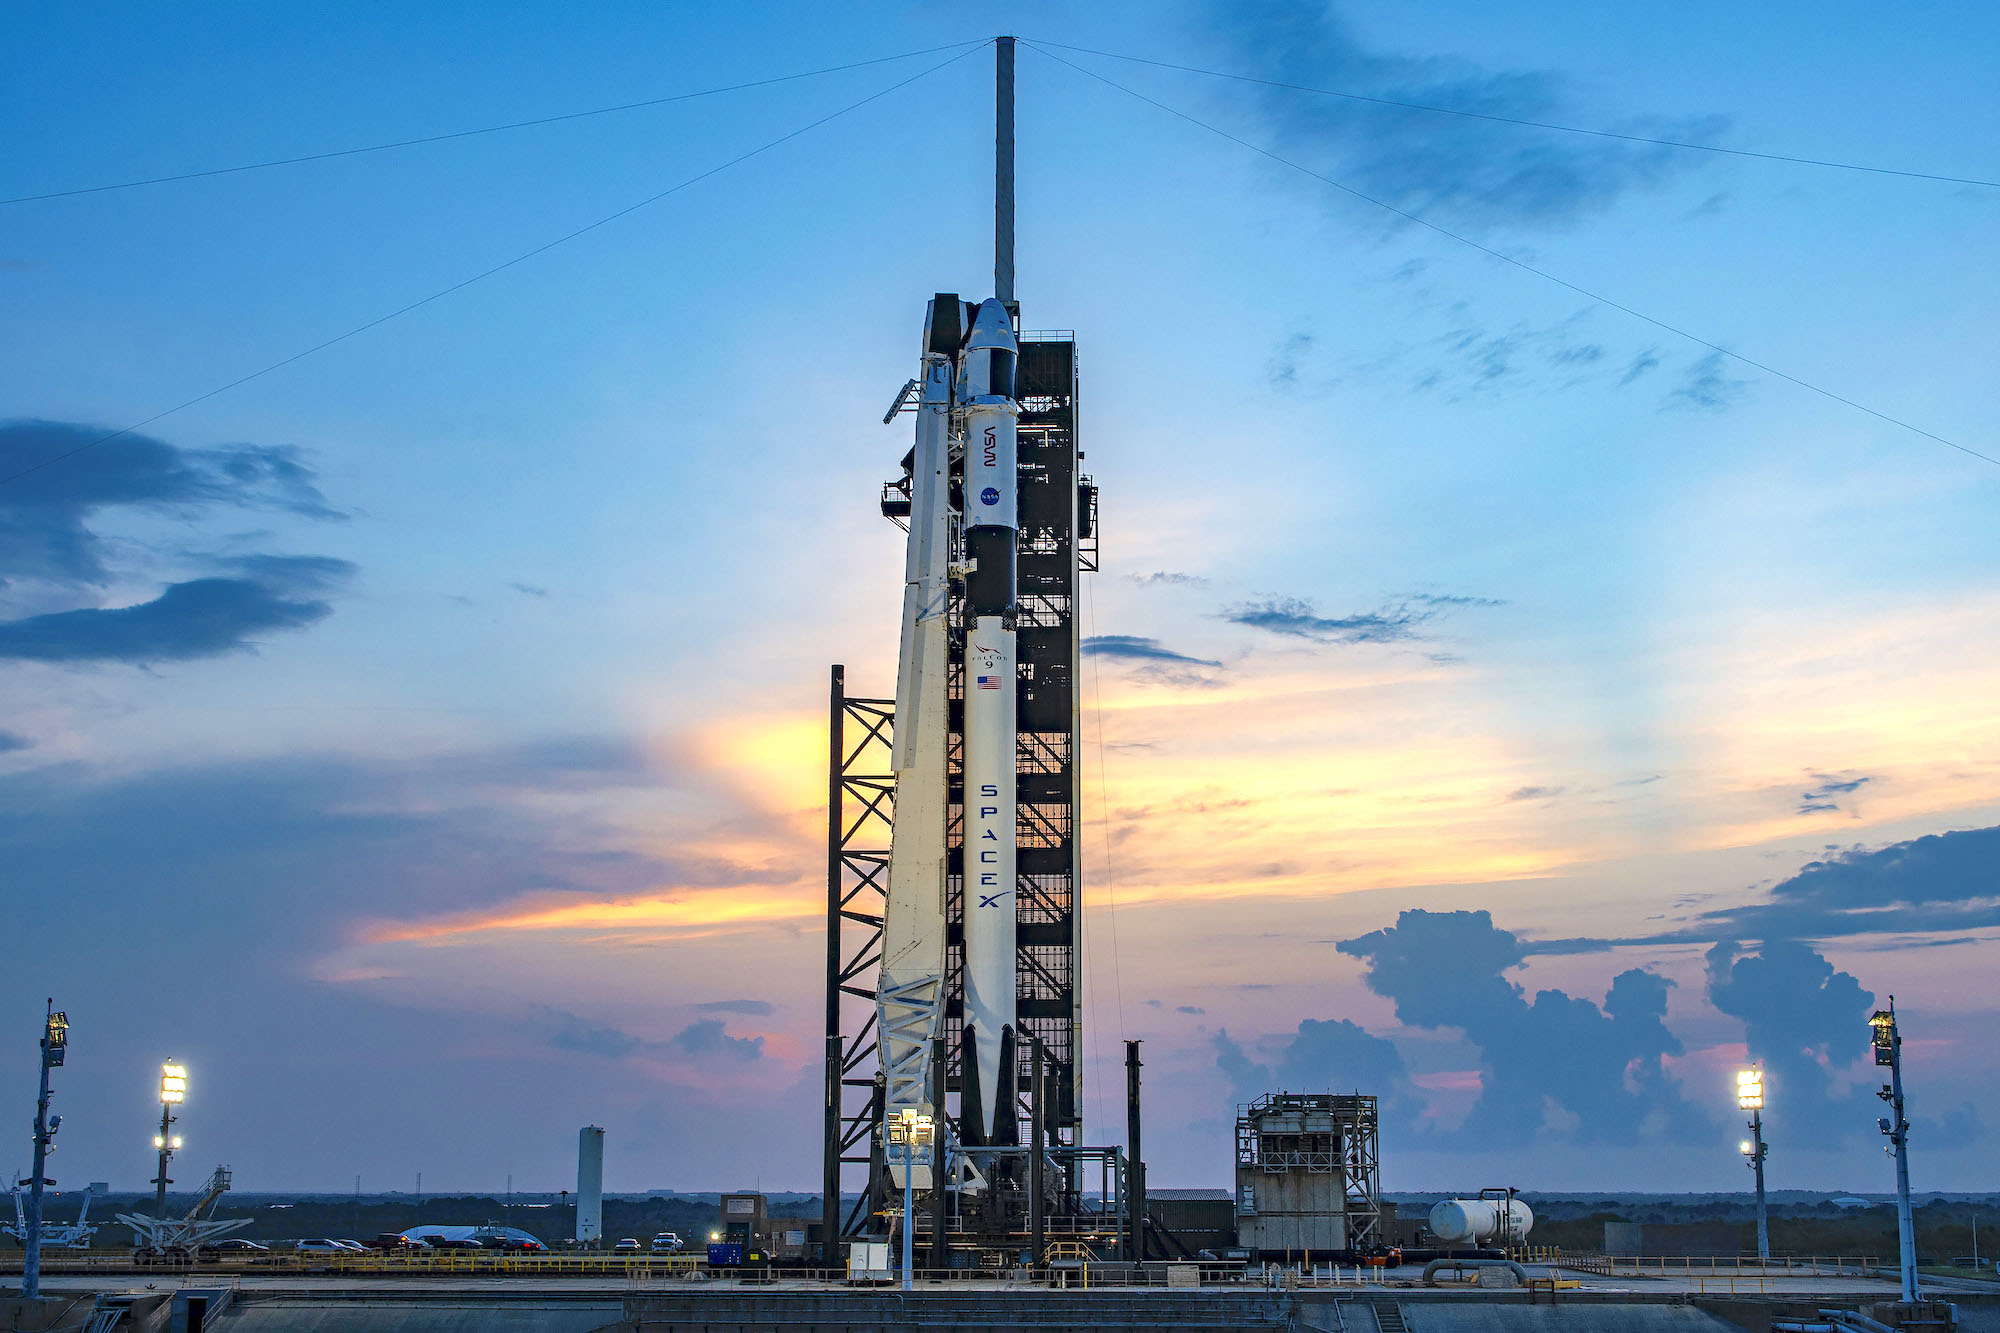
203, 617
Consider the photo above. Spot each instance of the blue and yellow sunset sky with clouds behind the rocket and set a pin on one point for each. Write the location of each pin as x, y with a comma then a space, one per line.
1499, 698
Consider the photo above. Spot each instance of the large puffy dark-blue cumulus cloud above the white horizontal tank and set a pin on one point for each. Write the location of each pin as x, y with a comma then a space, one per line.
1559, 1064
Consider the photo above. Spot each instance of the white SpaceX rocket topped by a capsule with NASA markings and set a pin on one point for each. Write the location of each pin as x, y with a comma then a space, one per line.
991, 523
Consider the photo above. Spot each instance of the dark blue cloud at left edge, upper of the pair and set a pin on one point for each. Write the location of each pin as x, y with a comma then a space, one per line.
45, 517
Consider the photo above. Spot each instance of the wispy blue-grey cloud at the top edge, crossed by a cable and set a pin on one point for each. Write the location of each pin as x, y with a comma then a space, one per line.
1443, 167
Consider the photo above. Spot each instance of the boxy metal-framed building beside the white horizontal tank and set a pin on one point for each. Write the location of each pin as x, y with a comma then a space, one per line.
1307, 1174
